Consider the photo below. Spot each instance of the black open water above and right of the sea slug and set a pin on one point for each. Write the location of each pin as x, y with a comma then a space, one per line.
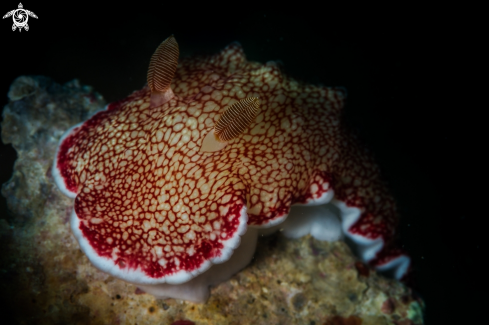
389, 64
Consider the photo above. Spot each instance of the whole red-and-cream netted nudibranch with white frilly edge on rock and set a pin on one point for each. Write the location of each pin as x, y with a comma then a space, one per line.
173, 184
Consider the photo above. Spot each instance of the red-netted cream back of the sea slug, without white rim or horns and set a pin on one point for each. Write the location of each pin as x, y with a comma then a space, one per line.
148, 199
